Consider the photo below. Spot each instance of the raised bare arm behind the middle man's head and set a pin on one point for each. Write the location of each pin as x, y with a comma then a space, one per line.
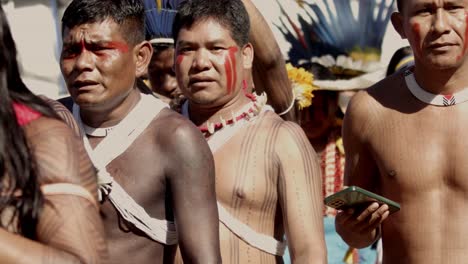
269, 69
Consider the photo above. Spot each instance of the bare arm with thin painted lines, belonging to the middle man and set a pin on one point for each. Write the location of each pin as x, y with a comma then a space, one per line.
300, 187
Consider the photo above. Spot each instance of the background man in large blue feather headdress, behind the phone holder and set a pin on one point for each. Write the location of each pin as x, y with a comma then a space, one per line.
340, 43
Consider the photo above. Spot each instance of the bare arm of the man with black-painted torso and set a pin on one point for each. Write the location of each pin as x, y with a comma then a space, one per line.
194, 198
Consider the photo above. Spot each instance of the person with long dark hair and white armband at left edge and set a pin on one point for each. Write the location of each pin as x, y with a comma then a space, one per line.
49, 185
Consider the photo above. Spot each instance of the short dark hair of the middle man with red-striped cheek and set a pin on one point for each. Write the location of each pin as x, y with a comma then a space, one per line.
229, 13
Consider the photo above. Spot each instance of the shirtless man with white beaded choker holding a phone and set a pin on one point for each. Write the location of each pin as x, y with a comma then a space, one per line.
405, 139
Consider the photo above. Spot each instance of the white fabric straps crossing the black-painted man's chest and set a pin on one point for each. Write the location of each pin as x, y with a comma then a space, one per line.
112, 146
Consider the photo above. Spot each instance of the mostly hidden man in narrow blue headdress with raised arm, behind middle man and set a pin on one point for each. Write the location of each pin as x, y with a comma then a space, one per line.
269, 67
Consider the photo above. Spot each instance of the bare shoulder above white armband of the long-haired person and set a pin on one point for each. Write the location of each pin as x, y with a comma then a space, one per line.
59, 153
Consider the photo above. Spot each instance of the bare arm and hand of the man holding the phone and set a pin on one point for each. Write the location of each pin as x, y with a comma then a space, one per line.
360, 229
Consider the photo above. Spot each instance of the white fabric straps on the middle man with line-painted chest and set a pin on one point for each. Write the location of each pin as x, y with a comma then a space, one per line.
244, 232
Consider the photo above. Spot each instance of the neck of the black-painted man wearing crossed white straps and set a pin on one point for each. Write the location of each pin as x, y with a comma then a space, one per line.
101, 116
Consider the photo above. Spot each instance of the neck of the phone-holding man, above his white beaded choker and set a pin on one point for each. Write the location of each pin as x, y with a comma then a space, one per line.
446, 81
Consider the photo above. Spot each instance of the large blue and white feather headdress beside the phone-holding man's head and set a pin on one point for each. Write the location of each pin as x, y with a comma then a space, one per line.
345, 36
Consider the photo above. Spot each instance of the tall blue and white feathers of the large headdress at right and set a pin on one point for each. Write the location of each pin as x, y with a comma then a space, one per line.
339, 28
